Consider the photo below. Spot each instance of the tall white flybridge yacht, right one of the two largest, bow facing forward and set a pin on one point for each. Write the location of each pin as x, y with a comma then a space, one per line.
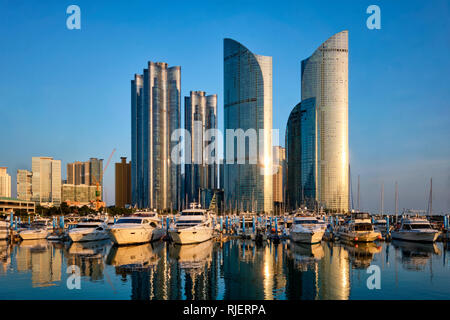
193, 225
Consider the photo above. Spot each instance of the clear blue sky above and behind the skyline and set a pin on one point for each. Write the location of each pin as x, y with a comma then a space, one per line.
66, 93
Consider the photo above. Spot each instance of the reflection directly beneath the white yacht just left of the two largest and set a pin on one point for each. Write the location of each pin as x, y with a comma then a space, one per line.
88, 256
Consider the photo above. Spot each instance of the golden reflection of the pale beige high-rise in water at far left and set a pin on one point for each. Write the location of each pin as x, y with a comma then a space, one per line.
42, 259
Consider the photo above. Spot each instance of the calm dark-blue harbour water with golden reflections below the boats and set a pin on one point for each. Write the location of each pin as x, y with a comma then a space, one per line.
236, 269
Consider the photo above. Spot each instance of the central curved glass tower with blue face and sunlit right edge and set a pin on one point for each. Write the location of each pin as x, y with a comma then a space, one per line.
248, 105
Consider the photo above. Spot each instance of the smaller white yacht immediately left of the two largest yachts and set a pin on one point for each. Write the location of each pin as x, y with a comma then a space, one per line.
89, 230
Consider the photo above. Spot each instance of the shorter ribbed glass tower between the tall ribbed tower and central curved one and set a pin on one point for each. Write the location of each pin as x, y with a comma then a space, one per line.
200, 116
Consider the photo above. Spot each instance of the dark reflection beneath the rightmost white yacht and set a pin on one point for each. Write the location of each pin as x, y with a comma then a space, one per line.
415, 255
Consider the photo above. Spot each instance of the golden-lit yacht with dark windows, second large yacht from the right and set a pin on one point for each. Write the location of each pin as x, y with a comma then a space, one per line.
359, 229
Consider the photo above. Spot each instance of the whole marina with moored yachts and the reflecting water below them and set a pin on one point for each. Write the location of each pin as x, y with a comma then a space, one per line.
239, 256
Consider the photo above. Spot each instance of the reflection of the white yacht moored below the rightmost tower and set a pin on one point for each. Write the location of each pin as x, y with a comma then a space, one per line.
306, 256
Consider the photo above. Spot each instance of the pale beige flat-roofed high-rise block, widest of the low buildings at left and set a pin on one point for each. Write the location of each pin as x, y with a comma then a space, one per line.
46, 181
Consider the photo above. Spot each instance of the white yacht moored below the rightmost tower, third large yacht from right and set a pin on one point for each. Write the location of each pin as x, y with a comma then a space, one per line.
307, 229
